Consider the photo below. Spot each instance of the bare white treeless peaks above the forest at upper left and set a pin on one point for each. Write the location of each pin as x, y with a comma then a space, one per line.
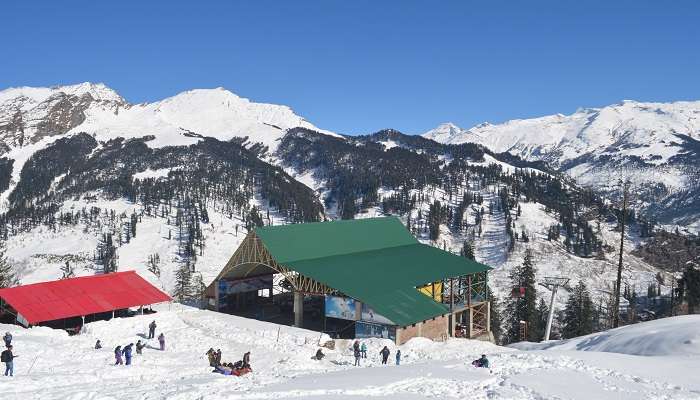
27, 115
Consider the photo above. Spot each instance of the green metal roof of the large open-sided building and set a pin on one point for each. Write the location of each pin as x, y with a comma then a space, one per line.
375, 261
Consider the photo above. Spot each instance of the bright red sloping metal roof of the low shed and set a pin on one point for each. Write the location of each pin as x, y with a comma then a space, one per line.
75, 297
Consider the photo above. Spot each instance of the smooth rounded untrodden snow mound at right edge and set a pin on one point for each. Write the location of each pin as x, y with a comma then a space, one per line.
677, 336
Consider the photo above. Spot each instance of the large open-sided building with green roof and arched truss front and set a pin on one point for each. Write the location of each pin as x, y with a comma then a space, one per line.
366, 278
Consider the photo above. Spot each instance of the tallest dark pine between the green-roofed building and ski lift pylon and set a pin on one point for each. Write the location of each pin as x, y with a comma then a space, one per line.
523, 308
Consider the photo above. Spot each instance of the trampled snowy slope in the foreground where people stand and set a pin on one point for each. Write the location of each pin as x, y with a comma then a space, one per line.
69, 368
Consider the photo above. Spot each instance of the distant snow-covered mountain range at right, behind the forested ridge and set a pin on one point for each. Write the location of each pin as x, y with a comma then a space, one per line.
655, 145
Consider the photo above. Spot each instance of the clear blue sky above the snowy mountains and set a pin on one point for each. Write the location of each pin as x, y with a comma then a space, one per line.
359, 66
